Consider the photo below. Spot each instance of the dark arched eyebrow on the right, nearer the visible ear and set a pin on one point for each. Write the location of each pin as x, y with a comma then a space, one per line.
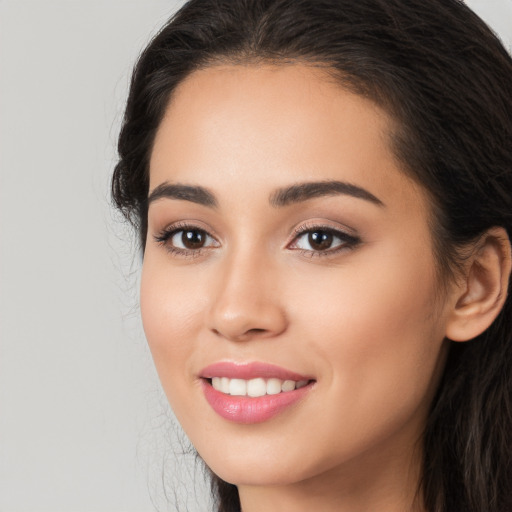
303, 191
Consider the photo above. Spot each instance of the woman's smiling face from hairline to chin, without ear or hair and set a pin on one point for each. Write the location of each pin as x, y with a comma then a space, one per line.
285, 244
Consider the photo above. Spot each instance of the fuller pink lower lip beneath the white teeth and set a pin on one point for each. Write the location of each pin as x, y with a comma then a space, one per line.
244, 409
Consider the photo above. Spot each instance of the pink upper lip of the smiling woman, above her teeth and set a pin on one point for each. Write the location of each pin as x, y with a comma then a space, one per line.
248, 371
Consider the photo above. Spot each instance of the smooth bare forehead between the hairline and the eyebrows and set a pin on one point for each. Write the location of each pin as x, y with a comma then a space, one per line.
267, 126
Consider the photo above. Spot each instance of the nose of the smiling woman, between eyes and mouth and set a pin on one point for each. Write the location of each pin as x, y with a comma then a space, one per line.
246, 303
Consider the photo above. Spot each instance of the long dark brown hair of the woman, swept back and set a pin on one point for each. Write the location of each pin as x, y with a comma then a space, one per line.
446, 79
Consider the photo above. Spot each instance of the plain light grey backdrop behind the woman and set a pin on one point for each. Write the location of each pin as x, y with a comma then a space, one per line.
83, 423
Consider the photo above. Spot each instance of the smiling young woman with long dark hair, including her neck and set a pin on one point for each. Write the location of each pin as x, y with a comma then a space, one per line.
323, 190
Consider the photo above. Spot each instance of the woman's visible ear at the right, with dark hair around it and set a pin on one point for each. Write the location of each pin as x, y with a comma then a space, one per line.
482, 292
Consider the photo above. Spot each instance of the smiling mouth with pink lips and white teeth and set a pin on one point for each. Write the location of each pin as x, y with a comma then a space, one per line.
254, 392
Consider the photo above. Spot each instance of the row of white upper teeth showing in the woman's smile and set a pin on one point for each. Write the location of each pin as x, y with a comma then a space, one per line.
255, 387
